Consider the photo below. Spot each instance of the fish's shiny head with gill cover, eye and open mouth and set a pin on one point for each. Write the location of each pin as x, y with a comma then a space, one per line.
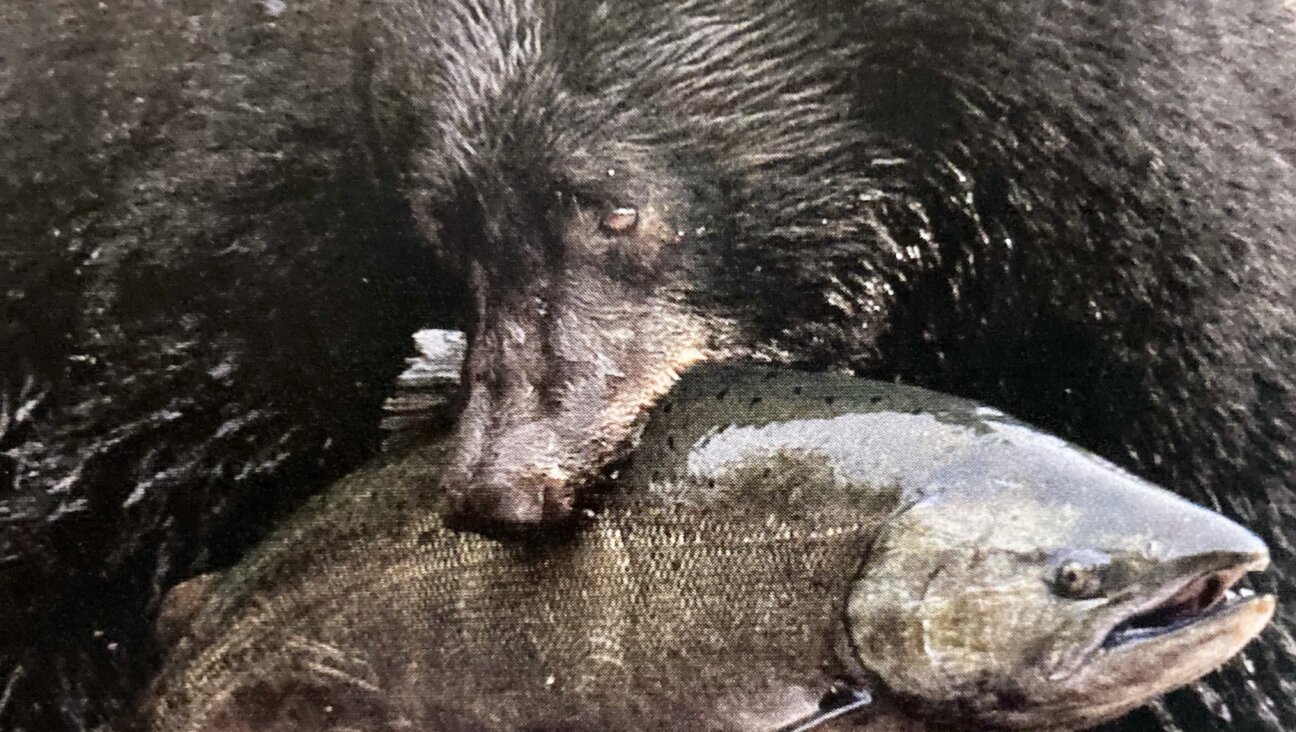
1041, 588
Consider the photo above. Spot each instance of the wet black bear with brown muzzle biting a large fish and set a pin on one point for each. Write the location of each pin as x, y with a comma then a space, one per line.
221, 226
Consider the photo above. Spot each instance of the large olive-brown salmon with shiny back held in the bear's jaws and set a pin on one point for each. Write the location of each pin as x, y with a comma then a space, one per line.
780, 547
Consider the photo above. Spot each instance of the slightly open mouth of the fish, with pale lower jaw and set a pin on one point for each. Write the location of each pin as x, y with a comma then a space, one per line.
1199, 599
